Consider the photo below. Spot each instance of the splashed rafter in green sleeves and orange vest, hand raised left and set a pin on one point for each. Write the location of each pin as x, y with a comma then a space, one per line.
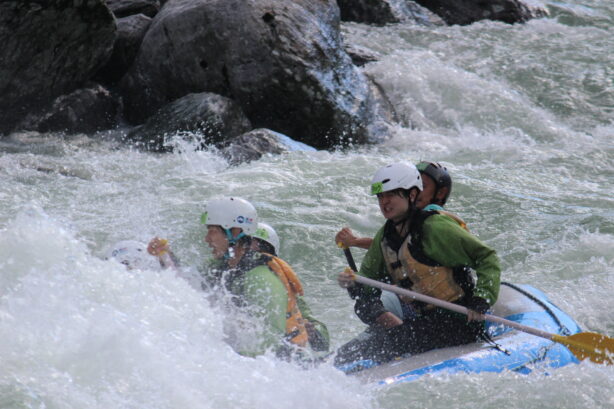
260, 292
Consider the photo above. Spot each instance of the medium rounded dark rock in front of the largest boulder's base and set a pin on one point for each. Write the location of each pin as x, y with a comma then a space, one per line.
213, 117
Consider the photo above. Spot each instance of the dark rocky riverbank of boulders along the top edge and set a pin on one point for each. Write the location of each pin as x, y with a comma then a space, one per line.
216, 68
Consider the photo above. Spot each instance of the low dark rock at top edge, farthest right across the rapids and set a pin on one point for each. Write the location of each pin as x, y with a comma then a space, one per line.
469, 11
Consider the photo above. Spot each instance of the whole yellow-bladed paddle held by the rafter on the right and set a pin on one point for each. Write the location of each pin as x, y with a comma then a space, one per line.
585, 345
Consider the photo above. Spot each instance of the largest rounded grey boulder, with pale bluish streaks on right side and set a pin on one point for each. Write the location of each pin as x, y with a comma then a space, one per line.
282, 61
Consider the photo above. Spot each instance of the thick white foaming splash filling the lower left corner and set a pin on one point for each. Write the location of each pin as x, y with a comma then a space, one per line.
78, 331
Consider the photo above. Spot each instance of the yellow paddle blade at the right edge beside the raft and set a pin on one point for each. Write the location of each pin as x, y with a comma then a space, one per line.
589, 345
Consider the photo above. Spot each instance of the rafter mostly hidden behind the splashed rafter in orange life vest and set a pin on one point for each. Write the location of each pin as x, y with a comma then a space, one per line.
266, 240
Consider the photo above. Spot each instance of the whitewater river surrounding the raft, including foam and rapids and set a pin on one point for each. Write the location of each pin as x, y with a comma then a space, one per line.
523, 116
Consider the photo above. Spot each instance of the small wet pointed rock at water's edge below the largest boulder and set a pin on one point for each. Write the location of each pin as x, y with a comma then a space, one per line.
252, 146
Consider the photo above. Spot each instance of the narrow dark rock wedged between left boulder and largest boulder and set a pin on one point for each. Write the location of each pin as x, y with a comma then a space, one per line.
130, 33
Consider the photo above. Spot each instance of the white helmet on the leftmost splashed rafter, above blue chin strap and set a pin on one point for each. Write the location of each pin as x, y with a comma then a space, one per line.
231, 212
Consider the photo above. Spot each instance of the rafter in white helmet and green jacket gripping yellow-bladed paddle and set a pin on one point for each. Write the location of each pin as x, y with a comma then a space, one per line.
426, 252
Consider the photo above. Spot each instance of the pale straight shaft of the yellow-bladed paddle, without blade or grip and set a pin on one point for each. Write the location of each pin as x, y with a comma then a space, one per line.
451, 306
